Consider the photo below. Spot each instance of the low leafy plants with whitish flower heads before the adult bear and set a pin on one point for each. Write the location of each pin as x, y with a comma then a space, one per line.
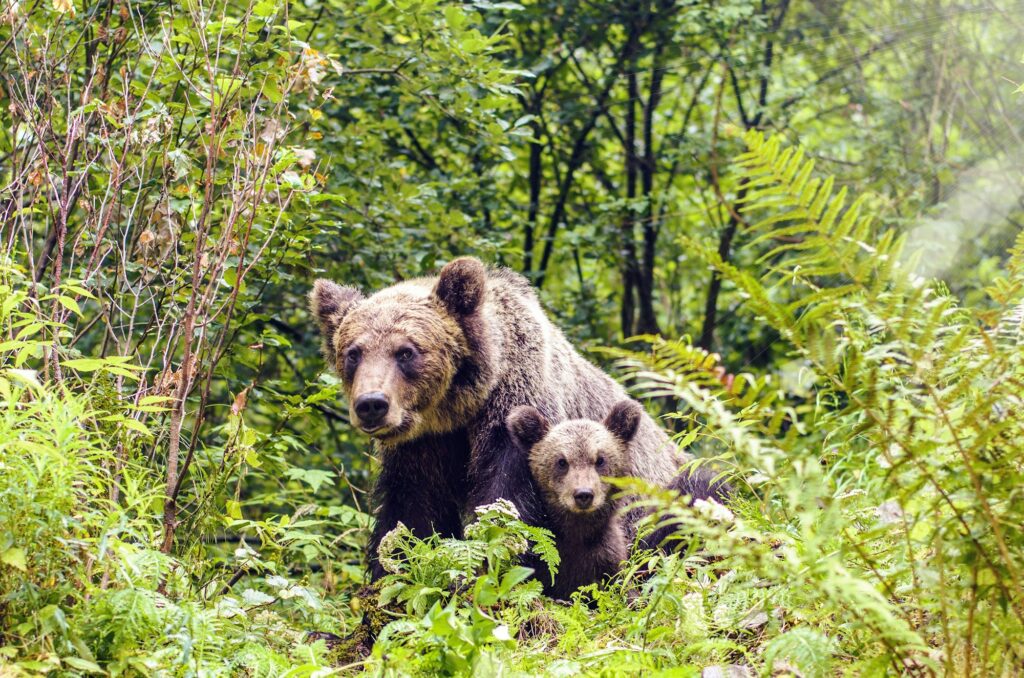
472, 596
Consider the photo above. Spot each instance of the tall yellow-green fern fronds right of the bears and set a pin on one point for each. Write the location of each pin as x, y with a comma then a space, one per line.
891, 489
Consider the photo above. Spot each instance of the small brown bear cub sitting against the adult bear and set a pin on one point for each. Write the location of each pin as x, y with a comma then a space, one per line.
569, 463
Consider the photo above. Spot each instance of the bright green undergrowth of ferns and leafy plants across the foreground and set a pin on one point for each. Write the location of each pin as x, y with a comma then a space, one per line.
877, 527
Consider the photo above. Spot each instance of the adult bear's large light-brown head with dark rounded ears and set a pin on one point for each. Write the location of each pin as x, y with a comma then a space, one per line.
414, 358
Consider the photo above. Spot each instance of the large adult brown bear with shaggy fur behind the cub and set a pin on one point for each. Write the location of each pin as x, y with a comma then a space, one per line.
432, 368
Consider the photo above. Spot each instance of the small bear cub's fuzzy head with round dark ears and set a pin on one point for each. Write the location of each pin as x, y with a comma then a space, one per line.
570, 460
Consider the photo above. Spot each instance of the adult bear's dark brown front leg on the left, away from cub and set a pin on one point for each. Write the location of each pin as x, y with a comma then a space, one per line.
423, 485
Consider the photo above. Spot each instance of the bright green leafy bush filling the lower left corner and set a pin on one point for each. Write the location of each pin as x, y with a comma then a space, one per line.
83, 585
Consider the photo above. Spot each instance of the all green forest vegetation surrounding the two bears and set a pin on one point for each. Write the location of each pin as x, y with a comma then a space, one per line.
793, 229
